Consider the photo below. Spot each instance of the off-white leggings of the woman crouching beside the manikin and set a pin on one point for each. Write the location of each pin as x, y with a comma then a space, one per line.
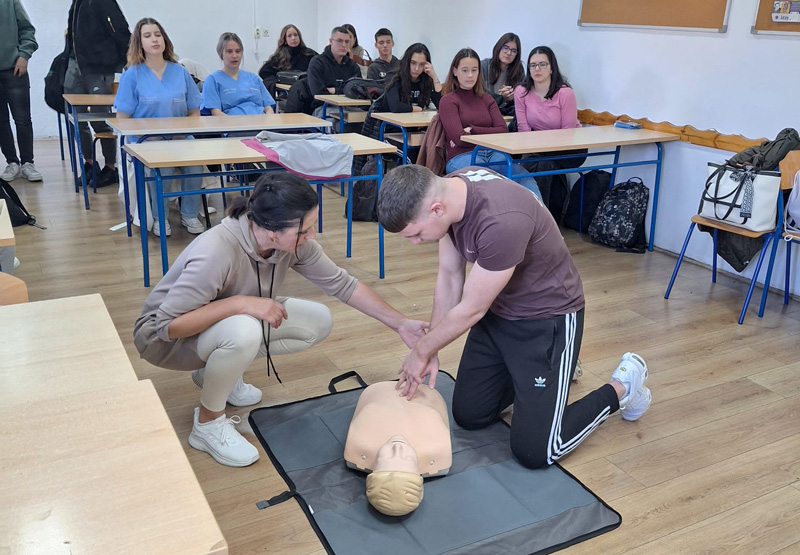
231, 345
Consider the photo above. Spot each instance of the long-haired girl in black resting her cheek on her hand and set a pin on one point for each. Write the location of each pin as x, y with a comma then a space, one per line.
415, 84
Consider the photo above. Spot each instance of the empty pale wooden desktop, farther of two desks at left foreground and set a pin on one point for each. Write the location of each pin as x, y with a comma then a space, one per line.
59, 347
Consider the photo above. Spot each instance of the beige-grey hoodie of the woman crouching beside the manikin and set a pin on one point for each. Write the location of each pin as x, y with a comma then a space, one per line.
221, 263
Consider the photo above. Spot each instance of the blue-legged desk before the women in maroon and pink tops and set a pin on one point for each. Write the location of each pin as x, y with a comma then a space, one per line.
558, 140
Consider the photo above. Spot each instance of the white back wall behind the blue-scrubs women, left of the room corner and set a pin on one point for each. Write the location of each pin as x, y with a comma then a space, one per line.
193, 26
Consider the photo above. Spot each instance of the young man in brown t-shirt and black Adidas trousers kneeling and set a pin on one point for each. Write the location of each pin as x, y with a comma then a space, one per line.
522, 303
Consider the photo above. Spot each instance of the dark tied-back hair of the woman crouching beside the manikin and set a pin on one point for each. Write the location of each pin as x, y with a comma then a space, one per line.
278, 201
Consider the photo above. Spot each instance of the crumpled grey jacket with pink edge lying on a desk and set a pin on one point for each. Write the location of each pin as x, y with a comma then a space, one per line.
312, 155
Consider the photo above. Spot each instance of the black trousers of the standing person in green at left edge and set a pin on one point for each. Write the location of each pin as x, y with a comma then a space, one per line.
15, 96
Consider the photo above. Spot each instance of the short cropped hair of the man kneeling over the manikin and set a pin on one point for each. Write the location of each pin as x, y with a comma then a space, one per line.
402, 192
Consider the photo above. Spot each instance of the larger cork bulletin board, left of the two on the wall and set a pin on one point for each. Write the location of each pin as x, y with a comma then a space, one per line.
691, 15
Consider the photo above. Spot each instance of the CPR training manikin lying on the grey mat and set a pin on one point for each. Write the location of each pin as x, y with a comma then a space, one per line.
399, 442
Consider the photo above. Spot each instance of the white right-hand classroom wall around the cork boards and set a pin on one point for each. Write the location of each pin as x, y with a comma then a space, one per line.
734, 82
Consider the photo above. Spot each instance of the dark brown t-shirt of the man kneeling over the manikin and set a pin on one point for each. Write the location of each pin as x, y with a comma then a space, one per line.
506, 225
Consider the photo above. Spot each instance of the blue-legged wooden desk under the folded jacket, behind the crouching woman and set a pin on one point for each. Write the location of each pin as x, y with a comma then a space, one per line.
157, 155
